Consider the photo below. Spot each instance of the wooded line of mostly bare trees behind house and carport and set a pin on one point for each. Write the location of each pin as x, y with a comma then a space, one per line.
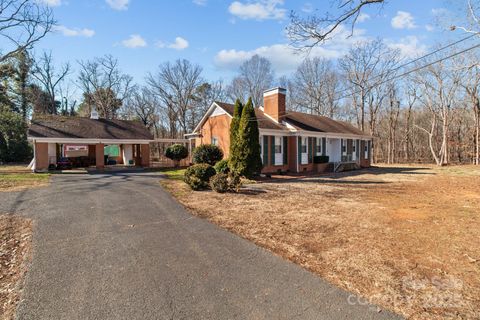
427, 111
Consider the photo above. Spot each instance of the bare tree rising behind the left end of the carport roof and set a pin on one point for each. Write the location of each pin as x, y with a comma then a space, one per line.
49, 78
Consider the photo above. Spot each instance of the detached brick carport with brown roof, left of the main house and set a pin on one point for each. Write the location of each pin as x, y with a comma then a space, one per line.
56, 136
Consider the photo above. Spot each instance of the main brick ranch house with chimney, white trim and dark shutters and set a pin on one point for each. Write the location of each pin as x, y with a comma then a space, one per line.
289, 140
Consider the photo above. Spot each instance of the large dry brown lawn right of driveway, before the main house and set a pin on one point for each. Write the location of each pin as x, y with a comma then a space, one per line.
405, 237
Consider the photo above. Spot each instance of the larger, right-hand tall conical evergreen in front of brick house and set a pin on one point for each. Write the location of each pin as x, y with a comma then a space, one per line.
248, 143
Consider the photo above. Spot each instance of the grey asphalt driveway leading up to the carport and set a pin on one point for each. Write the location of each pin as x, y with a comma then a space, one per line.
119, 247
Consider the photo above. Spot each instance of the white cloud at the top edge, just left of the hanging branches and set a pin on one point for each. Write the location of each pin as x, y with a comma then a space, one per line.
259, 10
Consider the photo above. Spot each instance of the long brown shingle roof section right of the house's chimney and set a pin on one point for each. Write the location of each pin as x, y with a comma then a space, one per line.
310, 122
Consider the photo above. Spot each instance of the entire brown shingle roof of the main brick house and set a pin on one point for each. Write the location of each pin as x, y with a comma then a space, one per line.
301, 121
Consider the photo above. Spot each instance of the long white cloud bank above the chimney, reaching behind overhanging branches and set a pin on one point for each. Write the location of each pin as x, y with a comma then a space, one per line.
284, 58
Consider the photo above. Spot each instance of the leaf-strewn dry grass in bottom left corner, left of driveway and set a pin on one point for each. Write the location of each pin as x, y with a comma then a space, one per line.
15, 244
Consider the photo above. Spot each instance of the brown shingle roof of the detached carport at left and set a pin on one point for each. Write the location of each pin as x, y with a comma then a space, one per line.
53, 126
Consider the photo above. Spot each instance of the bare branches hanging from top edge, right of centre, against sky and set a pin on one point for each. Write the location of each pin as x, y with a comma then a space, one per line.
308, 32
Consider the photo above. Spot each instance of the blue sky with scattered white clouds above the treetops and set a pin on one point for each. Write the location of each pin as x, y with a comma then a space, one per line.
219, 35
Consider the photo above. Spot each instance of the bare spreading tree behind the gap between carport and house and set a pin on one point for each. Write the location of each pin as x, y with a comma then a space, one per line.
175, 86
